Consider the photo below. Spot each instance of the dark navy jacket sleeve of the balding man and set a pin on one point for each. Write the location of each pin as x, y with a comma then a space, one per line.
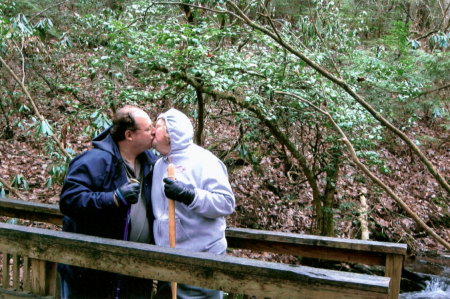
83, 192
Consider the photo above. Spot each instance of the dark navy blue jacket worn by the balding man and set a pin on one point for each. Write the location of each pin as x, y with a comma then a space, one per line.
86, 198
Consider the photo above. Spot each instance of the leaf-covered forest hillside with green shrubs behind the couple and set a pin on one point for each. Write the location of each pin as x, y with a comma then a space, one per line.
331, 116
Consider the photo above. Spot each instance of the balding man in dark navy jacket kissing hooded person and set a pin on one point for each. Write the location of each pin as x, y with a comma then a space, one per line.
106, 193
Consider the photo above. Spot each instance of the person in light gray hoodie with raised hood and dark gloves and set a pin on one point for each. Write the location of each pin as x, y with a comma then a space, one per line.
201, 191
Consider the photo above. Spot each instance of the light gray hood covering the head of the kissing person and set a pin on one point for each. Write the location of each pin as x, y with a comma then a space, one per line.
179, 128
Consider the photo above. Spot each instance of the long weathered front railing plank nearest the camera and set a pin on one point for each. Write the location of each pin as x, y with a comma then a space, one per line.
231, 274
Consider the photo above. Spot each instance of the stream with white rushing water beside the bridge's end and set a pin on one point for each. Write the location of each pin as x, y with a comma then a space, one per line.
433, 274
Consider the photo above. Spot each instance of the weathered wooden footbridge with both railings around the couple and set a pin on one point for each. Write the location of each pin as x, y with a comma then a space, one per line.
29, 257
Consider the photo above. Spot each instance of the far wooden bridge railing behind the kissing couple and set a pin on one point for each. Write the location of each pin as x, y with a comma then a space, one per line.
390, 255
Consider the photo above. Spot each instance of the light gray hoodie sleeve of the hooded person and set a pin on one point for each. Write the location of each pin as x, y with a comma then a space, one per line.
213, 197
